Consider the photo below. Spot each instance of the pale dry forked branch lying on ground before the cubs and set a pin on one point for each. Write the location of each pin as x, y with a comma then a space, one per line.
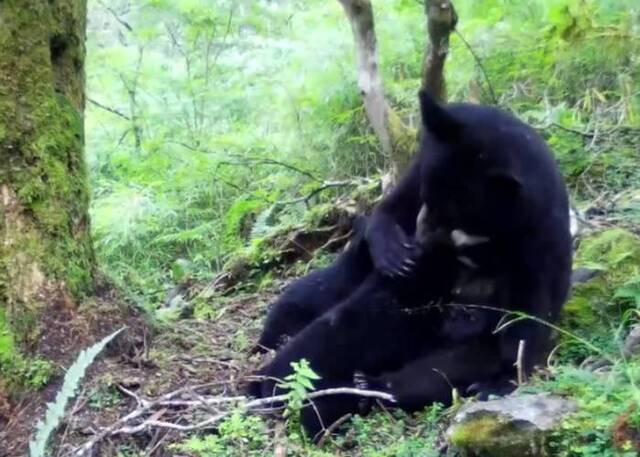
120, 427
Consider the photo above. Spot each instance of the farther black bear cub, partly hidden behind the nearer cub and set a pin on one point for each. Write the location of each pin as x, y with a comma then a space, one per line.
309, 297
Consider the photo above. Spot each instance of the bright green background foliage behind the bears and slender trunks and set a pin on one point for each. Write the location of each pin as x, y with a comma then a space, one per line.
206, 145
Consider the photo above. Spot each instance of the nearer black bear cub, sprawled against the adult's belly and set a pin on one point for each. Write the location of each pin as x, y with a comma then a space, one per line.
374, 330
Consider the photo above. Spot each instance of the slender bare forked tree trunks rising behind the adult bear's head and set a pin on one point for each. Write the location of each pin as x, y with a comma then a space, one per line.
397, 140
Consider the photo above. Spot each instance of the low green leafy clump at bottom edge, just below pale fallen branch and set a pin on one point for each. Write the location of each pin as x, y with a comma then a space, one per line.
238, 436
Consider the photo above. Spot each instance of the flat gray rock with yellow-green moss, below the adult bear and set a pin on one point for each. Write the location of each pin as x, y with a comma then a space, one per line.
515, 426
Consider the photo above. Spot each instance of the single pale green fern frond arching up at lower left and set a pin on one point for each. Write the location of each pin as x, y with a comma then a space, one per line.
55, 410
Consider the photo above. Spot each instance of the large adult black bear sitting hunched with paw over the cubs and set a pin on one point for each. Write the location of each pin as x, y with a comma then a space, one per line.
482, 171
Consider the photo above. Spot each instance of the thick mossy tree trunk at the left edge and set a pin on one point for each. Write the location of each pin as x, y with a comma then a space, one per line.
46, 255
